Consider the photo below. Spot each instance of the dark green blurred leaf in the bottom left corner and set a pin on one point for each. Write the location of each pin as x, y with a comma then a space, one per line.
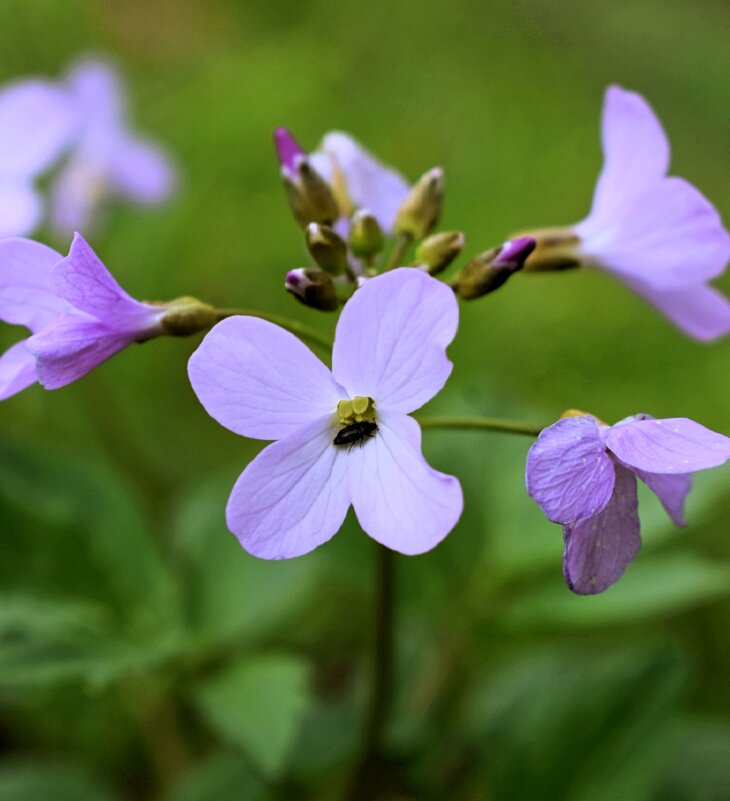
39, 781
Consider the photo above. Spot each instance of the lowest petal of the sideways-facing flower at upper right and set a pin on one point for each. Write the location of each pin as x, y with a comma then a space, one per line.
699, 311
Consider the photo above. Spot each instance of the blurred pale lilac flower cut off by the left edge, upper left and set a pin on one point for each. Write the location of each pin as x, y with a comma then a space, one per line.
36, 124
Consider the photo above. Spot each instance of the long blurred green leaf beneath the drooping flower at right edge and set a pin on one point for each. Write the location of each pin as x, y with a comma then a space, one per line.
654, 586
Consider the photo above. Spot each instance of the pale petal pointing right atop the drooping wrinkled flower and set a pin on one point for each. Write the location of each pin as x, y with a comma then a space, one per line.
674, 445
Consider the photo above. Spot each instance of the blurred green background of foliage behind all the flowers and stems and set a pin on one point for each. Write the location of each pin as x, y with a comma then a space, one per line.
143, 654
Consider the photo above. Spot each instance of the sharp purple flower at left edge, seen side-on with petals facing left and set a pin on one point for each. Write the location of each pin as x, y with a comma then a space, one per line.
77, 313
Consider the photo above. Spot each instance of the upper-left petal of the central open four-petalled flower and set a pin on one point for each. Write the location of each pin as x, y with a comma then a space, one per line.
259, 380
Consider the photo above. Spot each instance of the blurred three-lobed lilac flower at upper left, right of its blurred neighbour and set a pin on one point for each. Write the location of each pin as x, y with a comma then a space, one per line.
108, 160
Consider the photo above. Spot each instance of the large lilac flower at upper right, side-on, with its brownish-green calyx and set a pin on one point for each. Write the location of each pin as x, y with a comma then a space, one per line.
657, 234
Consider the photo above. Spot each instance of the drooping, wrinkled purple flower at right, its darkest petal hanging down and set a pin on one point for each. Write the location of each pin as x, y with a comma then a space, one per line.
582, 473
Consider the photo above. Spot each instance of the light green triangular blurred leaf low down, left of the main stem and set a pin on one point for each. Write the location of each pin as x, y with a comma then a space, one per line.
260, 705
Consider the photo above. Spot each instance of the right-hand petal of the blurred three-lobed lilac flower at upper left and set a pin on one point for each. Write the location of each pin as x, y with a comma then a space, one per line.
141, 171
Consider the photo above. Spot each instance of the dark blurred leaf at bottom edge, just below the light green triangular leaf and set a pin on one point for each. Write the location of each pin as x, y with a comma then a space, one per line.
223, 777
